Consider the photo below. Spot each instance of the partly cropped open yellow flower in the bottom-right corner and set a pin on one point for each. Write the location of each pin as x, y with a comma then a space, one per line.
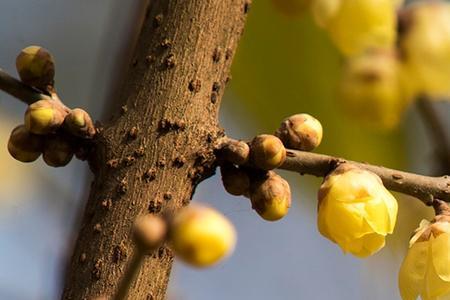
425, 270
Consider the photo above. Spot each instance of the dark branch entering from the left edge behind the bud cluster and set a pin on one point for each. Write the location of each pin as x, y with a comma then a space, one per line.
19, 90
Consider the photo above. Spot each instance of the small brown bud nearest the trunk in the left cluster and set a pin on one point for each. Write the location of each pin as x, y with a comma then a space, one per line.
79, 123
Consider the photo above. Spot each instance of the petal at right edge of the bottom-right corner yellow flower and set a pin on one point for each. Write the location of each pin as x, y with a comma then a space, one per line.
440, 248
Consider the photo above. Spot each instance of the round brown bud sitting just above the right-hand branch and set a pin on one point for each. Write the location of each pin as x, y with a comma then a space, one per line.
301, 132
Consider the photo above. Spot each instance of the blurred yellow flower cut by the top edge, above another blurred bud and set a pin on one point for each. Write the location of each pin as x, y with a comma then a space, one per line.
356, 25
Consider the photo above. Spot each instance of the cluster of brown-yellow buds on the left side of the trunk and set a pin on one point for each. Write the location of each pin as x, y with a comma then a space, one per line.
50, 128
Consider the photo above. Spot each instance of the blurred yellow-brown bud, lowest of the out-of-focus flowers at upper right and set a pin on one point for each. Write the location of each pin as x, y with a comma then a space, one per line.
373, 89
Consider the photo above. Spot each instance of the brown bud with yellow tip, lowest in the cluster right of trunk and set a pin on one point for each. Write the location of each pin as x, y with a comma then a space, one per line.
270, 196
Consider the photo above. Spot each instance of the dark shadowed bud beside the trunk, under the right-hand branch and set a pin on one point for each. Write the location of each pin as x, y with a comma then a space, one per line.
235, 180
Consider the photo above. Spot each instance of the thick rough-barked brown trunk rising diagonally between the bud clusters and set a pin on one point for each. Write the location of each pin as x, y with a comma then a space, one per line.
151, 156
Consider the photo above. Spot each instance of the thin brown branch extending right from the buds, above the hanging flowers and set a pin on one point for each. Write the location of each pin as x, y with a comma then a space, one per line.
425, 188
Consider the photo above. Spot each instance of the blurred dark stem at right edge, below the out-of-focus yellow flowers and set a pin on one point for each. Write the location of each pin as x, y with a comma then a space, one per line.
437, 131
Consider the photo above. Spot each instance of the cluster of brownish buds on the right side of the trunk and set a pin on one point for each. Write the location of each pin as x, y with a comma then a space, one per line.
247, 168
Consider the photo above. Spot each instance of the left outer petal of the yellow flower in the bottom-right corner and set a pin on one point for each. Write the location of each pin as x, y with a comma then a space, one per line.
412, 271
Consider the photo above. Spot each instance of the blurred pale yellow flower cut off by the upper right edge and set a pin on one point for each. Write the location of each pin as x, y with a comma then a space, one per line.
424, 43
